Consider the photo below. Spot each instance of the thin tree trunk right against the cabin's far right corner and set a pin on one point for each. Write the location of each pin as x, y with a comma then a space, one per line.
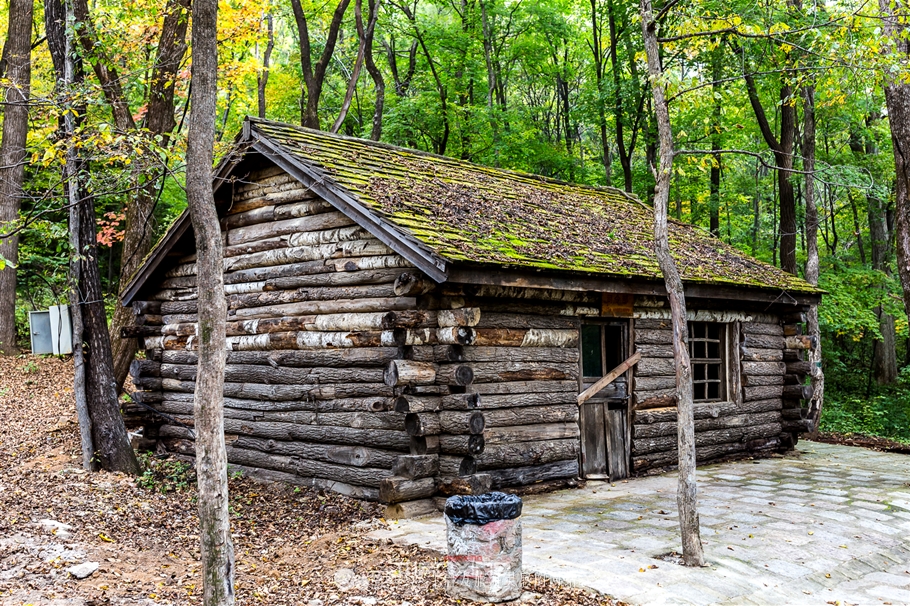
812, 264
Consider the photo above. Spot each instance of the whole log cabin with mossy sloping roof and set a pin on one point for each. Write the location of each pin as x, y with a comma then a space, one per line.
403, 325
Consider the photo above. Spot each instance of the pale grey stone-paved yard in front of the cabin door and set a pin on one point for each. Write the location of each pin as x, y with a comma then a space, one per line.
831, 524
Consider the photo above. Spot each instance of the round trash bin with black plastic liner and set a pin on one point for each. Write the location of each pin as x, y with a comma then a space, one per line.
483, 533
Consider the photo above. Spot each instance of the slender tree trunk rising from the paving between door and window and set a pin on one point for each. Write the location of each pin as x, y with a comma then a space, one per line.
686, 492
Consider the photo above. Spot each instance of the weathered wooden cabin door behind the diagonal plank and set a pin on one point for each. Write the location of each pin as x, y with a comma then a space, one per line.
603, 418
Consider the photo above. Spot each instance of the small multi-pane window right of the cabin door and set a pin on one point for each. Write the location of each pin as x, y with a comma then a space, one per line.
708, 348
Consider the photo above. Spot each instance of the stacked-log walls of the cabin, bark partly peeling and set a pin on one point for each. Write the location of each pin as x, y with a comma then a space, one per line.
349, 370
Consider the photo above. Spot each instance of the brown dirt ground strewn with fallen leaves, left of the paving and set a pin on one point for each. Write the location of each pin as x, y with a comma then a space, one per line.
292, 546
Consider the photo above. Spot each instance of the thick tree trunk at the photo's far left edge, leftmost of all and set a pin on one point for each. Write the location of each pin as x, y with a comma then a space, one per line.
17, 57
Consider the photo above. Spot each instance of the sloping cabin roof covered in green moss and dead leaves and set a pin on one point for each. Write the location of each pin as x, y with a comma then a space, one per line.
470, 213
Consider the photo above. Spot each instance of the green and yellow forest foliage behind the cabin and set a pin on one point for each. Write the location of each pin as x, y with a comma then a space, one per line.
554, 87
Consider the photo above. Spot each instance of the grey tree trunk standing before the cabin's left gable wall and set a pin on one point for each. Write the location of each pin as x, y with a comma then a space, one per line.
211, 455
